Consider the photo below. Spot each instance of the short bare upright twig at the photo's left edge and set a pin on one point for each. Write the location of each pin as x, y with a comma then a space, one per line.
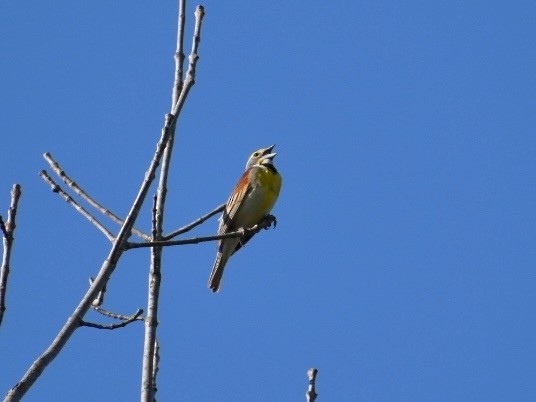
7, 228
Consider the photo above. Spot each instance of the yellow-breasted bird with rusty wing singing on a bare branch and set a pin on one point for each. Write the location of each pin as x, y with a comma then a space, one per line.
251, 200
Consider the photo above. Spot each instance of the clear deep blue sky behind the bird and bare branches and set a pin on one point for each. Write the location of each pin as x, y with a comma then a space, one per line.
403, 265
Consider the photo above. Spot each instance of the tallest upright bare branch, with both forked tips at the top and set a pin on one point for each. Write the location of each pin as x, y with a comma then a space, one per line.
148, 387
